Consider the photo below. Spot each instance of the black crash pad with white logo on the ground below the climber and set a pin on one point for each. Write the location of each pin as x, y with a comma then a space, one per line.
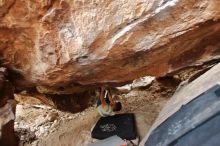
122, 125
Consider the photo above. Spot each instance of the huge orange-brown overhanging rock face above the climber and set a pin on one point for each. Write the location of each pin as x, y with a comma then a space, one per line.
61, 42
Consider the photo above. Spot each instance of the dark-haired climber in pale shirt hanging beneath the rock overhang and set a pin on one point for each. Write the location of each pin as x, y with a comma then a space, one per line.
105, 105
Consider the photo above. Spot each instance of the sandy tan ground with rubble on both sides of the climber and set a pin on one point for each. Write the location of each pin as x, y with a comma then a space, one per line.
37, 124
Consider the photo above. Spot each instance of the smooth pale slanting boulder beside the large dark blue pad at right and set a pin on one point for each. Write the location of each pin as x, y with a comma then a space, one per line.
185, 95
